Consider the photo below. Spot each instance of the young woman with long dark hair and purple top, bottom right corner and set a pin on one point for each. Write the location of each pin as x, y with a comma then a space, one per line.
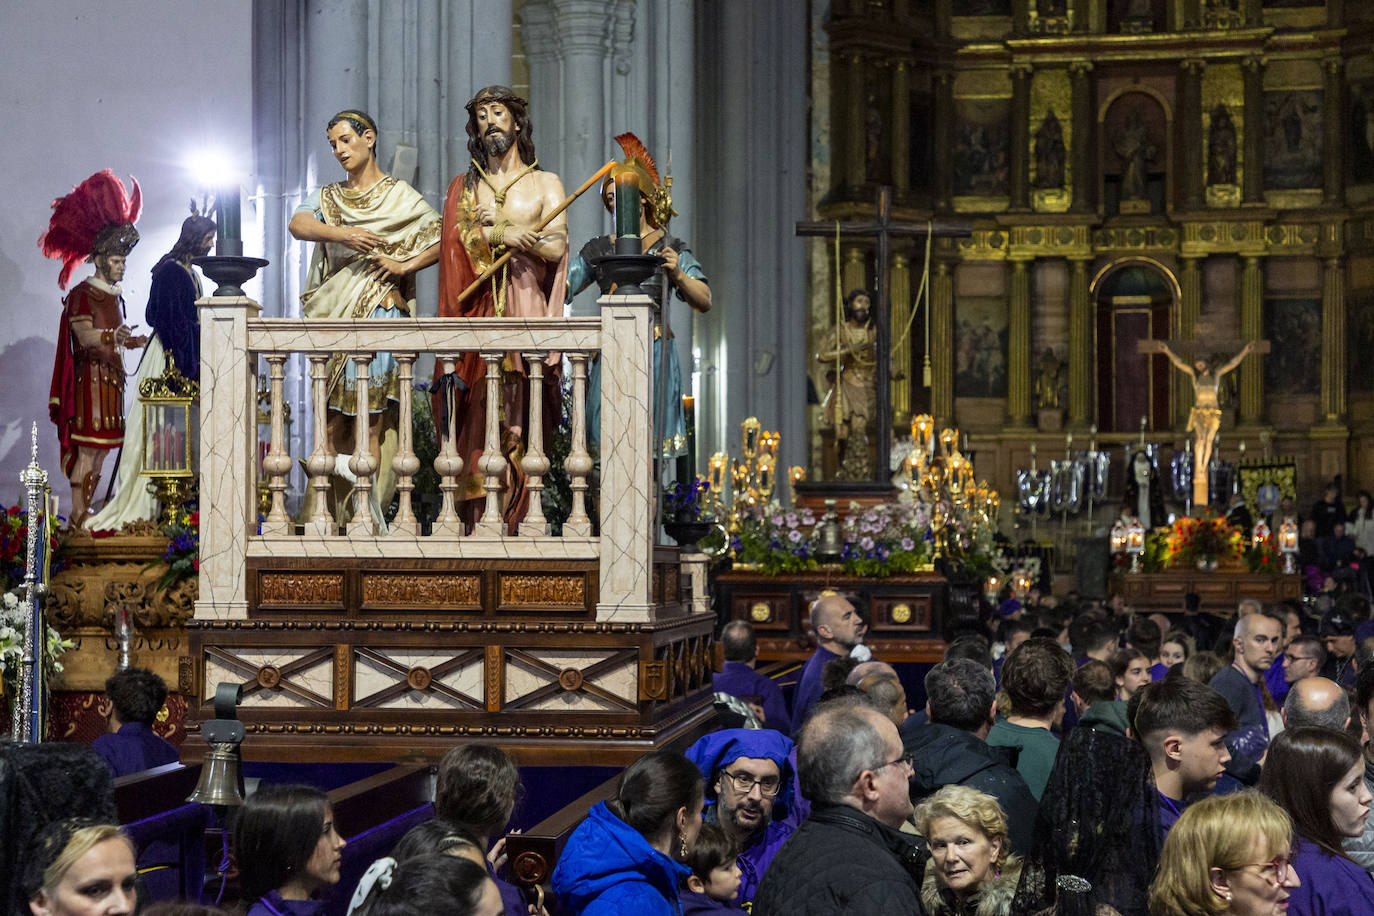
1318, 778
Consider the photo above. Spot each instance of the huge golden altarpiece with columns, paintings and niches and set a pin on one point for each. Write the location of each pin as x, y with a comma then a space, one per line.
1131, 170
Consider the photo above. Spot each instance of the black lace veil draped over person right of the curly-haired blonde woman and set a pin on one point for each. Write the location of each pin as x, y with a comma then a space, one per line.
1097, 836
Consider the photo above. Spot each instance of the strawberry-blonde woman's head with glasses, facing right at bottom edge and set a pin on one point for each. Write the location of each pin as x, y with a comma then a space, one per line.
1228, 855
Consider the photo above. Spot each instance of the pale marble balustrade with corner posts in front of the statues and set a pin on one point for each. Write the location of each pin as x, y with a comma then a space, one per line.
234, 341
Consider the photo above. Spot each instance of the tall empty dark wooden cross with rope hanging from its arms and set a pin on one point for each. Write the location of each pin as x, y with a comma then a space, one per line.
884, 229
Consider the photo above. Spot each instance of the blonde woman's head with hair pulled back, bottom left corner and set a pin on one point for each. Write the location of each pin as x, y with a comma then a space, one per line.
80, 869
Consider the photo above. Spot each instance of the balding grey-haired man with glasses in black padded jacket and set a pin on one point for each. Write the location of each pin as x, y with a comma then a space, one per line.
850, 856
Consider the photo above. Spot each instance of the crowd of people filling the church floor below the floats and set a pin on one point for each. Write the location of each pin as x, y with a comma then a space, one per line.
1071, 757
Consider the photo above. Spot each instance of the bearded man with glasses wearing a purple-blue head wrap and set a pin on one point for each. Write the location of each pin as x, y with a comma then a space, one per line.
751, 794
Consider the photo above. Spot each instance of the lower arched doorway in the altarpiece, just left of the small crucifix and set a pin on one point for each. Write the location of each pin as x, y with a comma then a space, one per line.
1133, 300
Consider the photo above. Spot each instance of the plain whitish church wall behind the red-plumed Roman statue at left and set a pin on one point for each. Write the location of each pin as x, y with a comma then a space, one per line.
133, 86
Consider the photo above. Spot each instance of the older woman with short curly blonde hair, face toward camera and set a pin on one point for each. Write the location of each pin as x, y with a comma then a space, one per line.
972, 870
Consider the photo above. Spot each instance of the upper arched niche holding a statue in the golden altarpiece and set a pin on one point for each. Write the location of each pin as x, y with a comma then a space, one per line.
1136, 149
